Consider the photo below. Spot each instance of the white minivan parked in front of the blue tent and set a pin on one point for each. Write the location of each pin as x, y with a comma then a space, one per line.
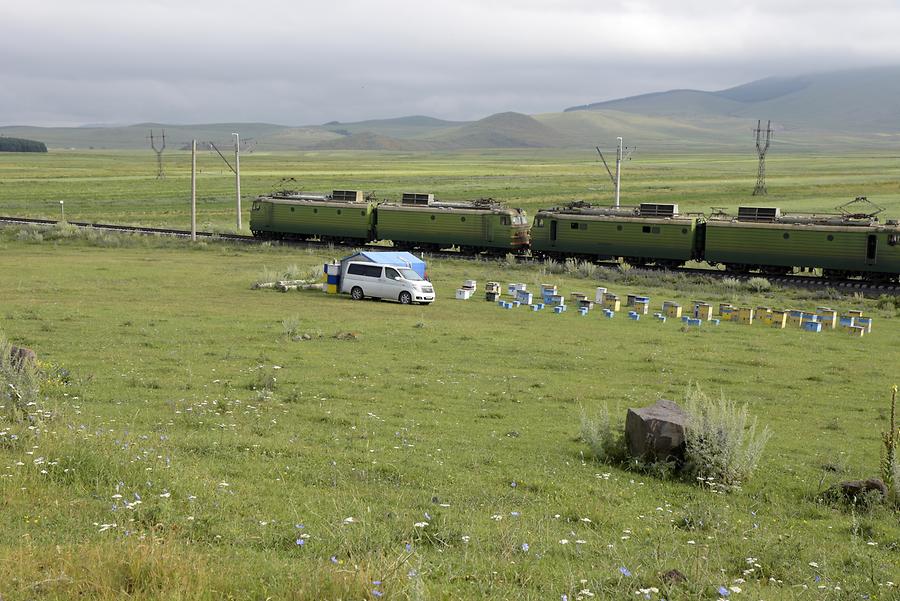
386, 281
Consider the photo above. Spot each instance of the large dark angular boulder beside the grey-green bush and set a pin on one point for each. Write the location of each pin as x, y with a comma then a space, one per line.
656, 432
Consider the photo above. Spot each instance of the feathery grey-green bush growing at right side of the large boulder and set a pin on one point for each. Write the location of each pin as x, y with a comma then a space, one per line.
722, 442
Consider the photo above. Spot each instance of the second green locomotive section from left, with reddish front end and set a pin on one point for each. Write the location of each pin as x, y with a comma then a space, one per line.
421, 222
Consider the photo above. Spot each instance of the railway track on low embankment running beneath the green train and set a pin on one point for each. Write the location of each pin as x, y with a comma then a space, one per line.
793, 280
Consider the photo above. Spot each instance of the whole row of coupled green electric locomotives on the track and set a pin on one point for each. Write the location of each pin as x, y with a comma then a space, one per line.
756, 239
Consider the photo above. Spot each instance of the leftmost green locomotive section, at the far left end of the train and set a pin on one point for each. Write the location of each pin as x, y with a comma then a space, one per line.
344, 216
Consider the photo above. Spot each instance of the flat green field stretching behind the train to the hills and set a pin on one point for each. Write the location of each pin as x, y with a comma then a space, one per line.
121, 186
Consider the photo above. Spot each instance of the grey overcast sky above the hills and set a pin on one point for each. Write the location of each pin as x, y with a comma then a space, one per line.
70, 62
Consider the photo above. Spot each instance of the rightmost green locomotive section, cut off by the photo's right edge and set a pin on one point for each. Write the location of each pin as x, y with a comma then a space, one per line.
765, 239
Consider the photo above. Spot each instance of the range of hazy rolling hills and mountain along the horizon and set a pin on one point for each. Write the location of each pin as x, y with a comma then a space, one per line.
857, 109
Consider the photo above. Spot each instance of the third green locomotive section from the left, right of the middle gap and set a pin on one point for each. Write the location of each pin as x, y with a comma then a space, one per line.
649, 233
